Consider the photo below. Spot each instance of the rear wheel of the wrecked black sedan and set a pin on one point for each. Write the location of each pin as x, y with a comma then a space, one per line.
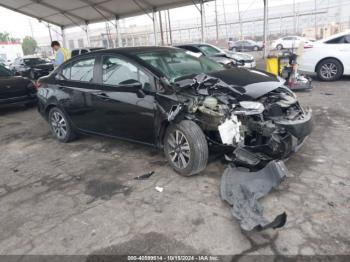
55, 117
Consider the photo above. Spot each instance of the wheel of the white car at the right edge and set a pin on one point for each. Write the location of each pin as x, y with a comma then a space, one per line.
329, 69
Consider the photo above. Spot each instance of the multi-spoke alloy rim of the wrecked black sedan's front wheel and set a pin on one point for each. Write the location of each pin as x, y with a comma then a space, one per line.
179, 149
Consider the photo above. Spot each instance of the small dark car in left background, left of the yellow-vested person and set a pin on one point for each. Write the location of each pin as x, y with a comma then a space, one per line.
32, 67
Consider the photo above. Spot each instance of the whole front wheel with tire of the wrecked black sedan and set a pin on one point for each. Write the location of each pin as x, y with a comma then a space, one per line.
193, 149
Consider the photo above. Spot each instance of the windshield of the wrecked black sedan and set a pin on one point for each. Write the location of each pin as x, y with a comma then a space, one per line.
175, 64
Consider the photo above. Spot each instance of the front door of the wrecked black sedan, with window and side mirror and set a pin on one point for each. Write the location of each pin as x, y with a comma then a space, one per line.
127, 111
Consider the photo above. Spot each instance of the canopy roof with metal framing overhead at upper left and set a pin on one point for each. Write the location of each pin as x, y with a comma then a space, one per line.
69, 13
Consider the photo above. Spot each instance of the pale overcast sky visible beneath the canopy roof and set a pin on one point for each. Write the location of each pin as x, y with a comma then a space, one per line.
19, 25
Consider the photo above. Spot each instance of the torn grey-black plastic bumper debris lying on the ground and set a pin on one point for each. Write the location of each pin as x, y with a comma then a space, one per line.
242, 189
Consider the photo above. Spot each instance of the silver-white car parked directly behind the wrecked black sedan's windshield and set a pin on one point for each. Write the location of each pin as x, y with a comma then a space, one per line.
223, 57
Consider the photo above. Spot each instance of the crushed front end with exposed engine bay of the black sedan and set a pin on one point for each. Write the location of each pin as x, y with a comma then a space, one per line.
259, 130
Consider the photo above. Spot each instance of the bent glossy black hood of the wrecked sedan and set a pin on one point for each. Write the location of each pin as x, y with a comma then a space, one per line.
255, 82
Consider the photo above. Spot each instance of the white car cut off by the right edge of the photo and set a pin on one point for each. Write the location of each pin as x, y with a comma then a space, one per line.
329, 58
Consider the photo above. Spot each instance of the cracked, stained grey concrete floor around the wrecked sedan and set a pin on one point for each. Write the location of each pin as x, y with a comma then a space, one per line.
81, 198
